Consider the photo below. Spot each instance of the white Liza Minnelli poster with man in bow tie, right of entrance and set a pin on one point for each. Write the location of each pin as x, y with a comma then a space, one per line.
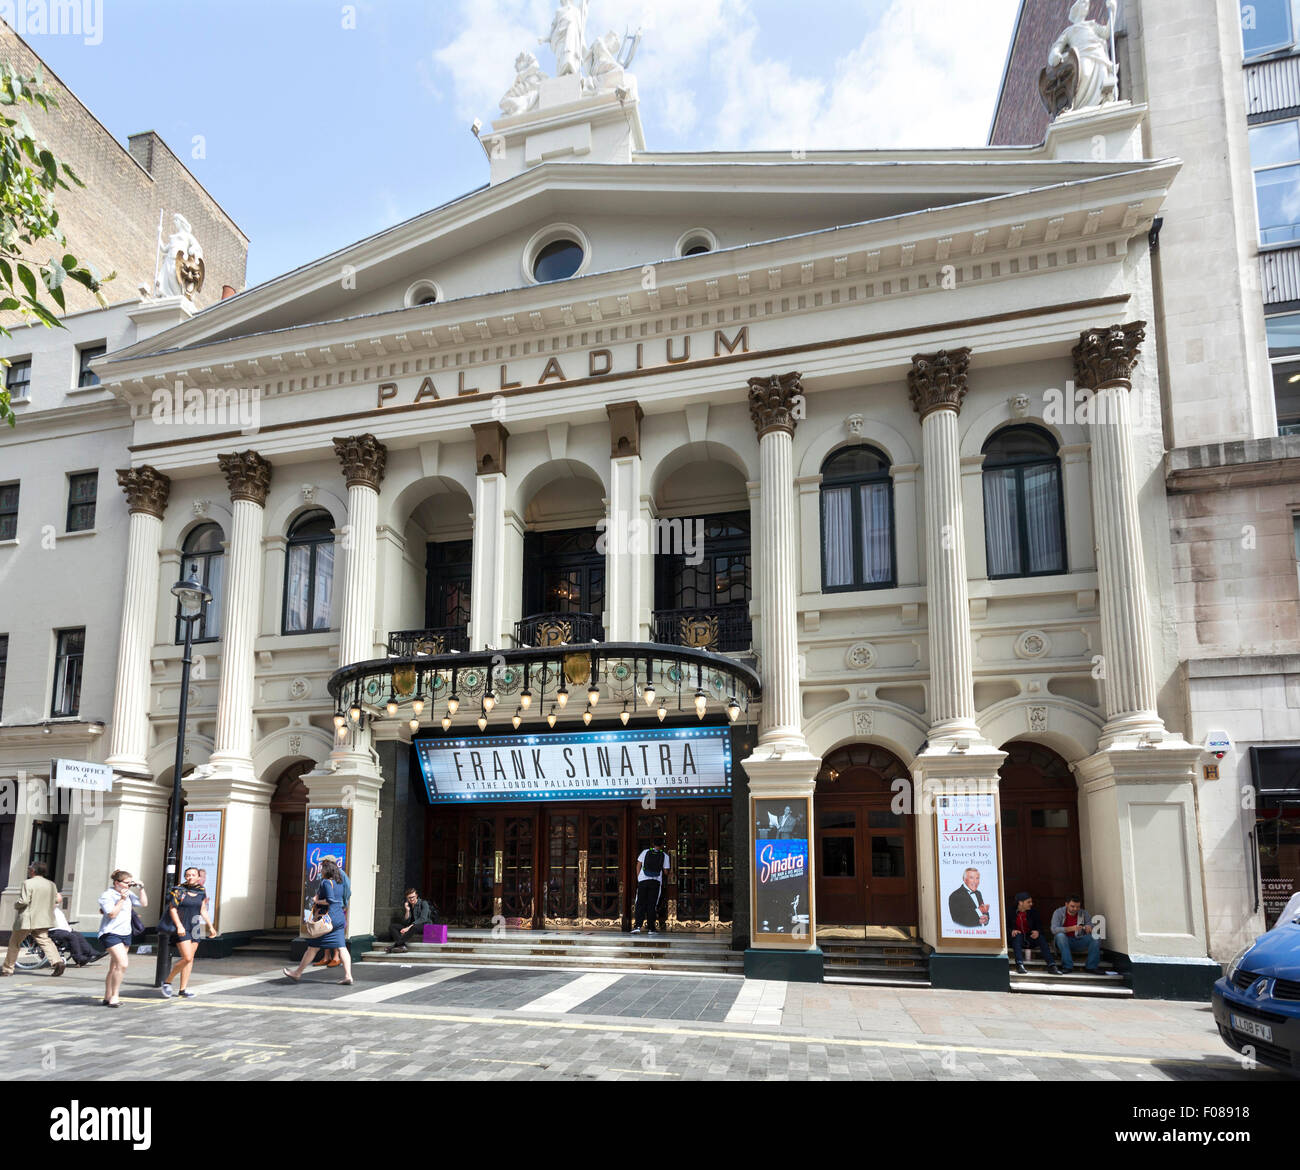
969, 898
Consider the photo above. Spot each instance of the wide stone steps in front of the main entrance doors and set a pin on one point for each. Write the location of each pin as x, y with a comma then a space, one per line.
610, 951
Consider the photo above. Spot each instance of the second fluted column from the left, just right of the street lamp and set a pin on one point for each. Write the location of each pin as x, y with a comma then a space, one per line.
249, 478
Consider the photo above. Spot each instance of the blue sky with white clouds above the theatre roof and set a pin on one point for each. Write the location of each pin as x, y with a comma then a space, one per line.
315, 124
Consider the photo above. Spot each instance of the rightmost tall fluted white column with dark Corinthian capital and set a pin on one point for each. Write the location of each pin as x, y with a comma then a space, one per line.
1103, 363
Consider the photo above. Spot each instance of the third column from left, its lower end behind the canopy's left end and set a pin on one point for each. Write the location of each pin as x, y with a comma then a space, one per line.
365, 461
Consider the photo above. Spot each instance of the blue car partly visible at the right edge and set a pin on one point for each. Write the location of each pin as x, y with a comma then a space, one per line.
1258, 1003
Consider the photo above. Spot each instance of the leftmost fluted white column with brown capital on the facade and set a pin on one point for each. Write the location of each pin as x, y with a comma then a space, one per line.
148, 493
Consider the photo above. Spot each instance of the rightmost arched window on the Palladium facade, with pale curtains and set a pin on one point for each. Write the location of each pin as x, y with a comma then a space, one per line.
1024, 506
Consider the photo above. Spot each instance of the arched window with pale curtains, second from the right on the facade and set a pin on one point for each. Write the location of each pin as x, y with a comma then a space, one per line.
857, 521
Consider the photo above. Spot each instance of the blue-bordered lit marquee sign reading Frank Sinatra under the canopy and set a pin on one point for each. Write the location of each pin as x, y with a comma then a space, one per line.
688, 762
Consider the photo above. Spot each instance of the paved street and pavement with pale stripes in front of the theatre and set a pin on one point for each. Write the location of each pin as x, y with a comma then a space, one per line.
482, 1024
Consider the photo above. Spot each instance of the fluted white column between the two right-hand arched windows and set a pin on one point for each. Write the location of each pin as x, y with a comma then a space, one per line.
938, 385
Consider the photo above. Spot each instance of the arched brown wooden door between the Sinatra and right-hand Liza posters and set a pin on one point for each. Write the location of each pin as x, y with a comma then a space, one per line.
866, 870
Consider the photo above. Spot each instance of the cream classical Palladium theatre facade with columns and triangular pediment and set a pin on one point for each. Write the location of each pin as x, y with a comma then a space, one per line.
803, 509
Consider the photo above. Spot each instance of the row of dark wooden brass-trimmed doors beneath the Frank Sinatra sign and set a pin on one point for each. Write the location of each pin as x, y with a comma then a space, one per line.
574, 866
